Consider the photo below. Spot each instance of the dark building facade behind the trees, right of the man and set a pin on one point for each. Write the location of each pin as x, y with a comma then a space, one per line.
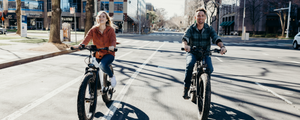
269, 23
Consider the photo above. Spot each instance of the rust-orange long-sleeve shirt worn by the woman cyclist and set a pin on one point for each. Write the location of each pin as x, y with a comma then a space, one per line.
108, 38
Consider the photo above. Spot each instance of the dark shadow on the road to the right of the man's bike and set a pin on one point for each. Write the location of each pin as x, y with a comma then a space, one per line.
221, 112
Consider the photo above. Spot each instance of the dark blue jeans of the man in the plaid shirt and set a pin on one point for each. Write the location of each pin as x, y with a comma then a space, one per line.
190, 62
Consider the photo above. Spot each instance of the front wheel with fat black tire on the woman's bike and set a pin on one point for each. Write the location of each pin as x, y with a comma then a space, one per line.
87, 98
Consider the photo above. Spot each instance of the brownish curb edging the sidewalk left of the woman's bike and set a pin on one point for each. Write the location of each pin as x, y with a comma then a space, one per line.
31, 59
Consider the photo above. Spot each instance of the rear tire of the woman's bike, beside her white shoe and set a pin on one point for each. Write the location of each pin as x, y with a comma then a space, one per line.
107, 96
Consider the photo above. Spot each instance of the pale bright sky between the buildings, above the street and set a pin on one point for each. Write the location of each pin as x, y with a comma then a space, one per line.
171, 6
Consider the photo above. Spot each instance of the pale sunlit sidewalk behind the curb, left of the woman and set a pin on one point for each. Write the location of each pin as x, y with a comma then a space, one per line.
15, 53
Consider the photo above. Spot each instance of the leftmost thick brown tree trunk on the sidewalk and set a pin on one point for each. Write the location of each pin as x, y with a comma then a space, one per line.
55, 22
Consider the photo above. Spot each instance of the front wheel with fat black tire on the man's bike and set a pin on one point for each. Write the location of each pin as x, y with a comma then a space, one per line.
204, 96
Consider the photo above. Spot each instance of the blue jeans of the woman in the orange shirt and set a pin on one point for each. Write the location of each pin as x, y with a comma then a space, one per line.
105, 62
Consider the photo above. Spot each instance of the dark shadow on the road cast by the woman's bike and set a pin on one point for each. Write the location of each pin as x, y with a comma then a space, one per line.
126, 112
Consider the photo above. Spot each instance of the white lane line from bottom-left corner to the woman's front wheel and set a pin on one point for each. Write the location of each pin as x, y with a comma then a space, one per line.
37, 102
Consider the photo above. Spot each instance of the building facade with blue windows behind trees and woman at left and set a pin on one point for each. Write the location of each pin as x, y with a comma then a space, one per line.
124, 12
